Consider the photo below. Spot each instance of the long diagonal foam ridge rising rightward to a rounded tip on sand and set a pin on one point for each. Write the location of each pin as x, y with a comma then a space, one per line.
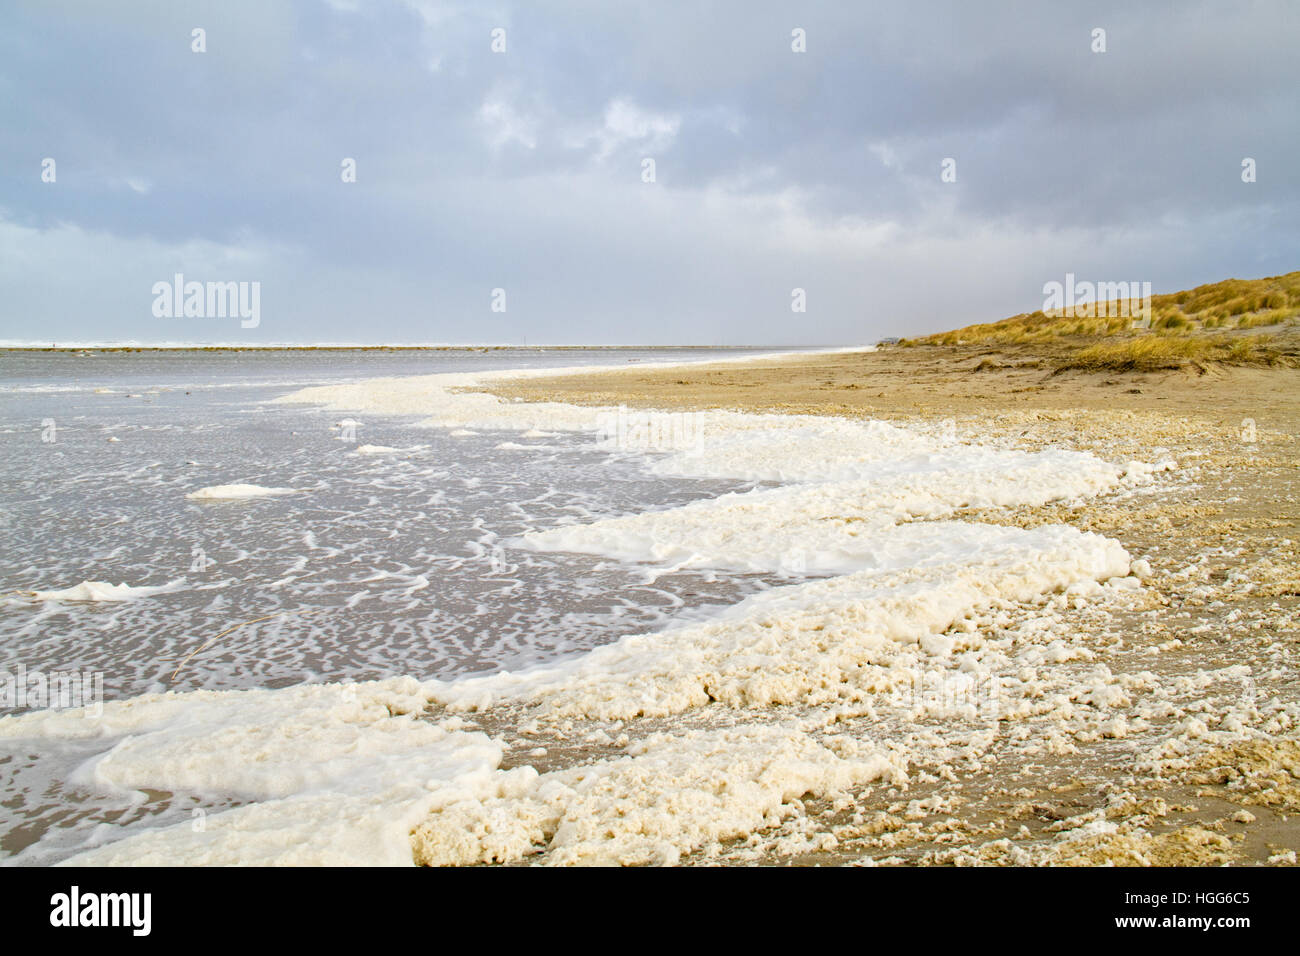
813, 643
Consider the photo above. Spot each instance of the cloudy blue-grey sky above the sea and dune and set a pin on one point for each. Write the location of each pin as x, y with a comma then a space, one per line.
504, 196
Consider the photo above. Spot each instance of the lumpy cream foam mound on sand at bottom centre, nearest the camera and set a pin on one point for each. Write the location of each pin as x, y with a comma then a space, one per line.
674, 794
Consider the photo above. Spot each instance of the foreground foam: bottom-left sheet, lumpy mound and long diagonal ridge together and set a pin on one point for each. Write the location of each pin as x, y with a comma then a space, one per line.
341, 775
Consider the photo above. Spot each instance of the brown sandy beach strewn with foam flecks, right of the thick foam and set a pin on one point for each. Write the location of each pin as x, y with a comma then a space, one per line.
1132, 775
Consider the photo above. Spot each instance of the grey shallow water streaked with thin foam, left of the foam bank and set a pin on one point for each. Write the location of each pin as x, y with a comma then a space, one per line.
380, 565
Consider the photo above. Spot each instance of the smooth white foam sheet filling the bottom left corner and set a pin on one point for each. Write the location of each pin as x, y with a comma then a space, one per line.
339, 775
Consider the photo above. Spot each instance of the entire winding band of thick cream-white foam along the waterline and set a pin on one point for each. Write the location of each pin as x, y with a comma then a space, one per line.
389, 773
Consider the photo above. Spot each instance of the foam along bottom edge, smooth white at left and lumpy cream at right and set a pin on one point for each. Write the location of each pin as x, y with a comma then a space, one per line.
343, 775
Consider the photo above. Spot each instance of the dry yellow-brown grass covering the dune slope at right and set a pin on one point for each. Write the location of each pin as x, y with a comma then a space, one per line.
1234, 304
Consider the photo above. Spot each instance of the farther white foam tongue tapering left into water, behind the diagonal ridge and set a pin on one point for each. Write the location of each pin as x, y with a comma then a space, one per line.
843, 526
